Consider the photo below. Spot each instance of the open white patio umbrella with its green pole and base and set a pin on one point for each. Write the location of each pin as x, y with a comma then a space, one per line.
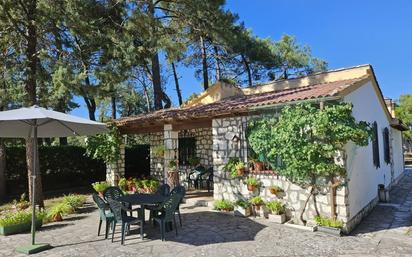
36, 122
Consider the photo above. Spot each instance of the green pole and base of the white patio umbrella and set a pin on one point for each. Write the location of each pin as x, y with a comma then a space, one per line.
33, 247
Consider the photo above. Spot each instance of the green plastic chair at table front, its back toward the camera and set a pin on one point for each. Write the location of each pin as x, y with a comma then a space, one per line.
120, 216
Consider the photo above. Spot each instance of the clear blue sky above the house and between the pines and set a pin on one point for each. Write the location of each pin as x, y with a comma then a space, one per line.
343, 32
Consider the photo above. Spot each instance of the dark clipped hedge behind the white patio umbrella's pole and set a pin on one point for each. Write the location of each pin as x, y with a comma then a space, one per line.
61, 167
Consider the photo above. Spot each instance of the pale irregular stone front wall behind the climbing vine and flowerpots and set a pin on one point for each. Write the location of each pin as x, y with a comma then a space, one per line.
225, 187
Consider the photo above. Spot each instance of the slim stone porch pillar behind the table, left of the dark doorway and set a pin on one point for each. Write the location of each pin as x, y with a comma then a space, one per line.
171, 139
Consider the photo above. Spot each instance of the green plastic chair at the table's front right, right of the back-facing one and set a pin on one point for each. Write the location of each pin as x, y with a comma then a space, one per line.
168, 209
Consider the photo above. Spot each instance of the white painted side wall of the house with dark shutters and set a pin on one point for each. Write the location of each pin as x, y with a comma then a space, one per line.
363, 176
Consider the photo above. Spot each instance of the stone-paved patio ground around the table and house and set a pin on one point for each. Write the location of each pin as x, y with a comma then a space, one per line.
209, 233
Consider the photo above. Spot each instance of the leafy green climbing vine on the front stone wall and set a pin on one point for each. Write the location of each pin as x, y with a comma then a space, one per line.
310, 142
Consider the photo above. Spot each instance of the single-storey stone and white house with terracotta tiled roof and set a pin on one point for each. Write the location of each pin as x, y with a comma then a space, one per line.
207, 126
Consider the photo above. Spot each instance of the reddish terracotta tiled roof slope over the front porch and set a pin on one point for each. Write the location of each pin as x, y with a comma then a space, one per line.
238, 105
